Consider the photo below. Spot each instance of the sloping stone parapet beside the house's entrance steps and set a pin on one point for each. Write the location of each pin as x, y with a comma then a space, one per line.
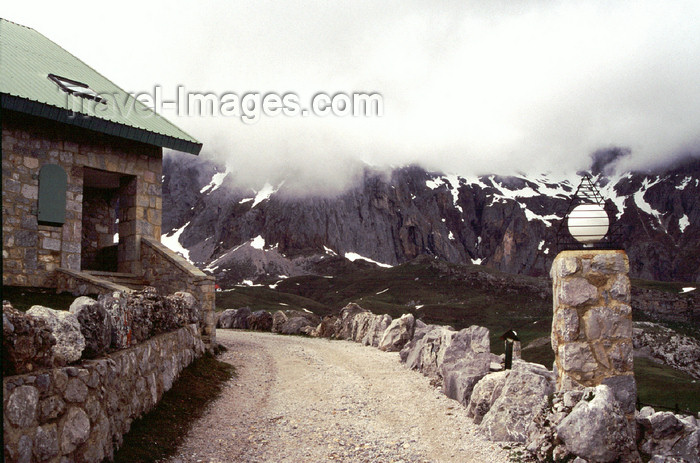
169, 273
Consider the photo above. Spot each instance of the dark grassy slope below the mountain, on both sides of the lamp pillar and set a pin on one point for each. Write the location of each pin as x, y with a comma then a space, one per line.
456, 295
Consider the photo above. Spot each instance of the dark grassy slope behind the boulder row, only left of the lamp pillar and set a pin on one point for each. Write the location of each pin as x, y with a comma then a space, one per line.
441, 294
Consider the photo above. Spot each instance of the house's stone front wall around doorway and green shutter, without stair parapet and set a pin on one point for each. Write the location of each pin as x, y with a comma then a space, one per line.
32, 251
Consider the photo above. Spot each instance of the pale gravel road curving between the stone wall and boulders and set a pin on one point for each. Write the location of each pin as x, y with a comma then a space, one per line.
299, 399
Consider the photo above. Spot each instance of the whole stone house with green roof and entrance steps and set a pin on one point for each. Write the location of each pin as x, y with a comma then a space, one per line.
81, 177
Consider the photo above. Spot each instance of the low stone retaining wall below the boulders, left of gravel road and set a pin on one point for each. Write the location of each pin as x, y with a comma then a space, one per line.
81, 412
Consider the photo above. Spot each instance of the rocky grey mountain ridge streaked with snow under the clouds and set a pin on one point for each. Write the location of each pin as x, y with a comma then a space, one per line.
505, 222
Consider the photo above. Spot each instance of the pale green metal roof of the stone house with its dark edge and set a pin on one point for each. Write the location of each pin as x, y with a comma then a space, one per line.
26, 60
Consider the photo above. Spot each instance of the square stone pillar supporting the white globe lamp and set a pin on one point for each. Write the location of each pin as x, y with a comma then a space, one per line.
592, 323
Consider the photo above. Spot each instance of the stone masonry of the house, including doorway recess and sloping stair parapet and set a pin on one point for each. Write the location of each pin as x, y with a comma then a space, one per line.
34, 252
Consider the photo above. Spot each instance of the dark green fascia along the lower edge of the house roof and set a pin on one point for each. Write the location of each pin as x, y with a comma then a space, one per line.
62, 115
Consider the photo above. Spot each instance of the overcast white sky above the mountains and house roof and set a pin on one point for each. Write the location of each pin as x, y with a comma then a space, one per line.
467, 87
